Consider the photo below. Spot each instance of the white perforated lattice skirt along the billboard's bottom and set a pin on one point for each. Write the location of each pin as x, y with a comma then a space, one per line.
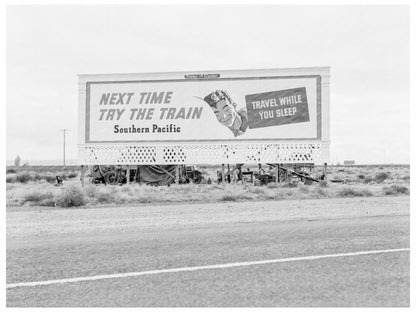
247, 153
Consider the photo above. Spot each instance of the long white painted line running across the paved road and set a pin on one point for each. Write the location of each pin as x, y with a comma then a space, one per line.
196, 268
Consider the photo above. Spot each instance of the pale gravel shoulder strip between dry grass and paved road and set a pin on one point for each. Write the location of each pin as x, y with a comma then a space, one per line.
49, 223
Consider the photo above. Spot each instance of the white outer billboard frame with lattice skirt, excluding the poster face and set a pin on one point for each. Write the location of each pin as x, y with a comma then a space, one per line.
91, 152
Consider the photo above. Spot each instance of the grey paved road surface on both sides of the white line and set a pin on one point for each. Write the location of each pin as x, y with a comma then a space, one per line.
362, 280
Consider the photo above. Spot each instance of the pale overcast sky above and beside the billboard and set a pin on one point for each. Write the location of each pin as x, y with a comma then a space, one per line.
367, 48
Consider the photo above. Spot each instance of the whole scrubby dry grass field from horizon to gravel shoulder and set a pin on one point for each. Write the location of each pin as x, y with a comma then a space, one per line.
358, 182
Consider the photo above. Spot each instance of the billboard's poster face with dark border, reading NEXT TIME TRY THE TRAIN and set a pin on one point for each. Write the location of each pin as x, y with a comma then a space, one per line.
197, 108
